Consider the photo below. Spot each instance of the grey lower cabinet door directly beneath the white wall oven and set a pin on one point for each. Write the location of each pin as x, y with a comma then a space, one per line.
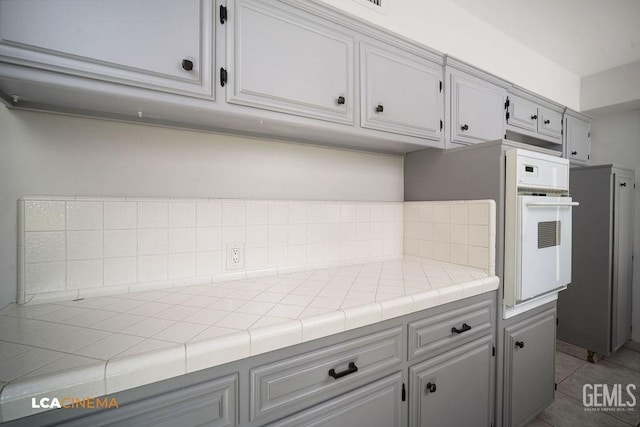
529, 367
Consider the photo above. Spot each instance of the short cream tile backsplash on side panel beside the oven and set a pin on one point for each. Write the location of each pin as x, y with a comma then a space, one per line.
460, 232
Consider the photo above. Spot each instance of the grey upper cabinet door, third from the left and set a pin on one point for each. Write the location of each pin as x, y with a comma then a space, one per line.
400, 92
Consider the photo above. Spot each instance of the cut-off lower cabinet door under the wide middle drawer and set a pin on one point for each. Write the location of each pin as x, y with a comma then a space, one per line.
378, 404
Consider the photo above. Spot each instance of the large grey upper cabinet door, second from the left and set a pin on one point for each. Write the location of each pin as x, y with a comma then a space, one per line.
284, 61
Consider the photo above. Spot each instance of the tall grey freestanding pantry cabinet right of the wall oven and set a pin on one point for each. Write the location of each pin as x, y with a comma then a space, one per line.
595, 310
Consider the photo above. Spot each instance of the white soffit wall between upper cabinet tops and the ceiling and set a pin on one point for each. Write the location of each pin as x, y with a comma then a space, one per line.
450, 29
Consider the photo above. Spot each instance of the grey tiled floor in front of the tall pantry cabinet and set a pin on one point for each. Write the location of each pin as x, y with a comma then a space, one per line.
573, 371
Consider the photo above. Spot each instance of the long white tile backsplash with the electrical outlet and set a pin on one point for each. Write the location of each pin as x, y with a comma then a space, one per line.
75, 247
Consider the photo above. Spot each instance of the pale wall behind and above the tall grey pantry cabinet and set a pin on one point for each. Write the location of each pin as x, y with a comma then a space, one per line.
616, 139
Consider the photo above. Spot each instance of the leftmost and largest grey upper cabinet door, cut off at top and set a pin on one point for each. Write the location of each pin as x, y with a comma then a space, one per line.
160, 44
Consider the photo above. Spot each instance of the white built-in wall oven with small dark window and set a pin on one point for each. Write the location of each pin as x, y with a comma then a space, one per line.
537, 229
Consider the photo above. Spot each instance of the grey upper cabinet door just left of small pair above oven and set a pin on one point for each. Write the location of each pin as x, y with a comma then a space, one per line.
477, 109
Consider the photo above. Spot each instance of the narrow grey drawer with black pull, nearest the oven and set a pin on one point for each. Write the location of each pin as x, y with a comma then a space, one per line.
435, 334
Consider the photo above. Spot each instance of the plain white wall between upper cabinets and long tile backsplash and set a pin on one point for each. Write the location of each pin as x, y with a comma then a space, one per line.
61, 155
